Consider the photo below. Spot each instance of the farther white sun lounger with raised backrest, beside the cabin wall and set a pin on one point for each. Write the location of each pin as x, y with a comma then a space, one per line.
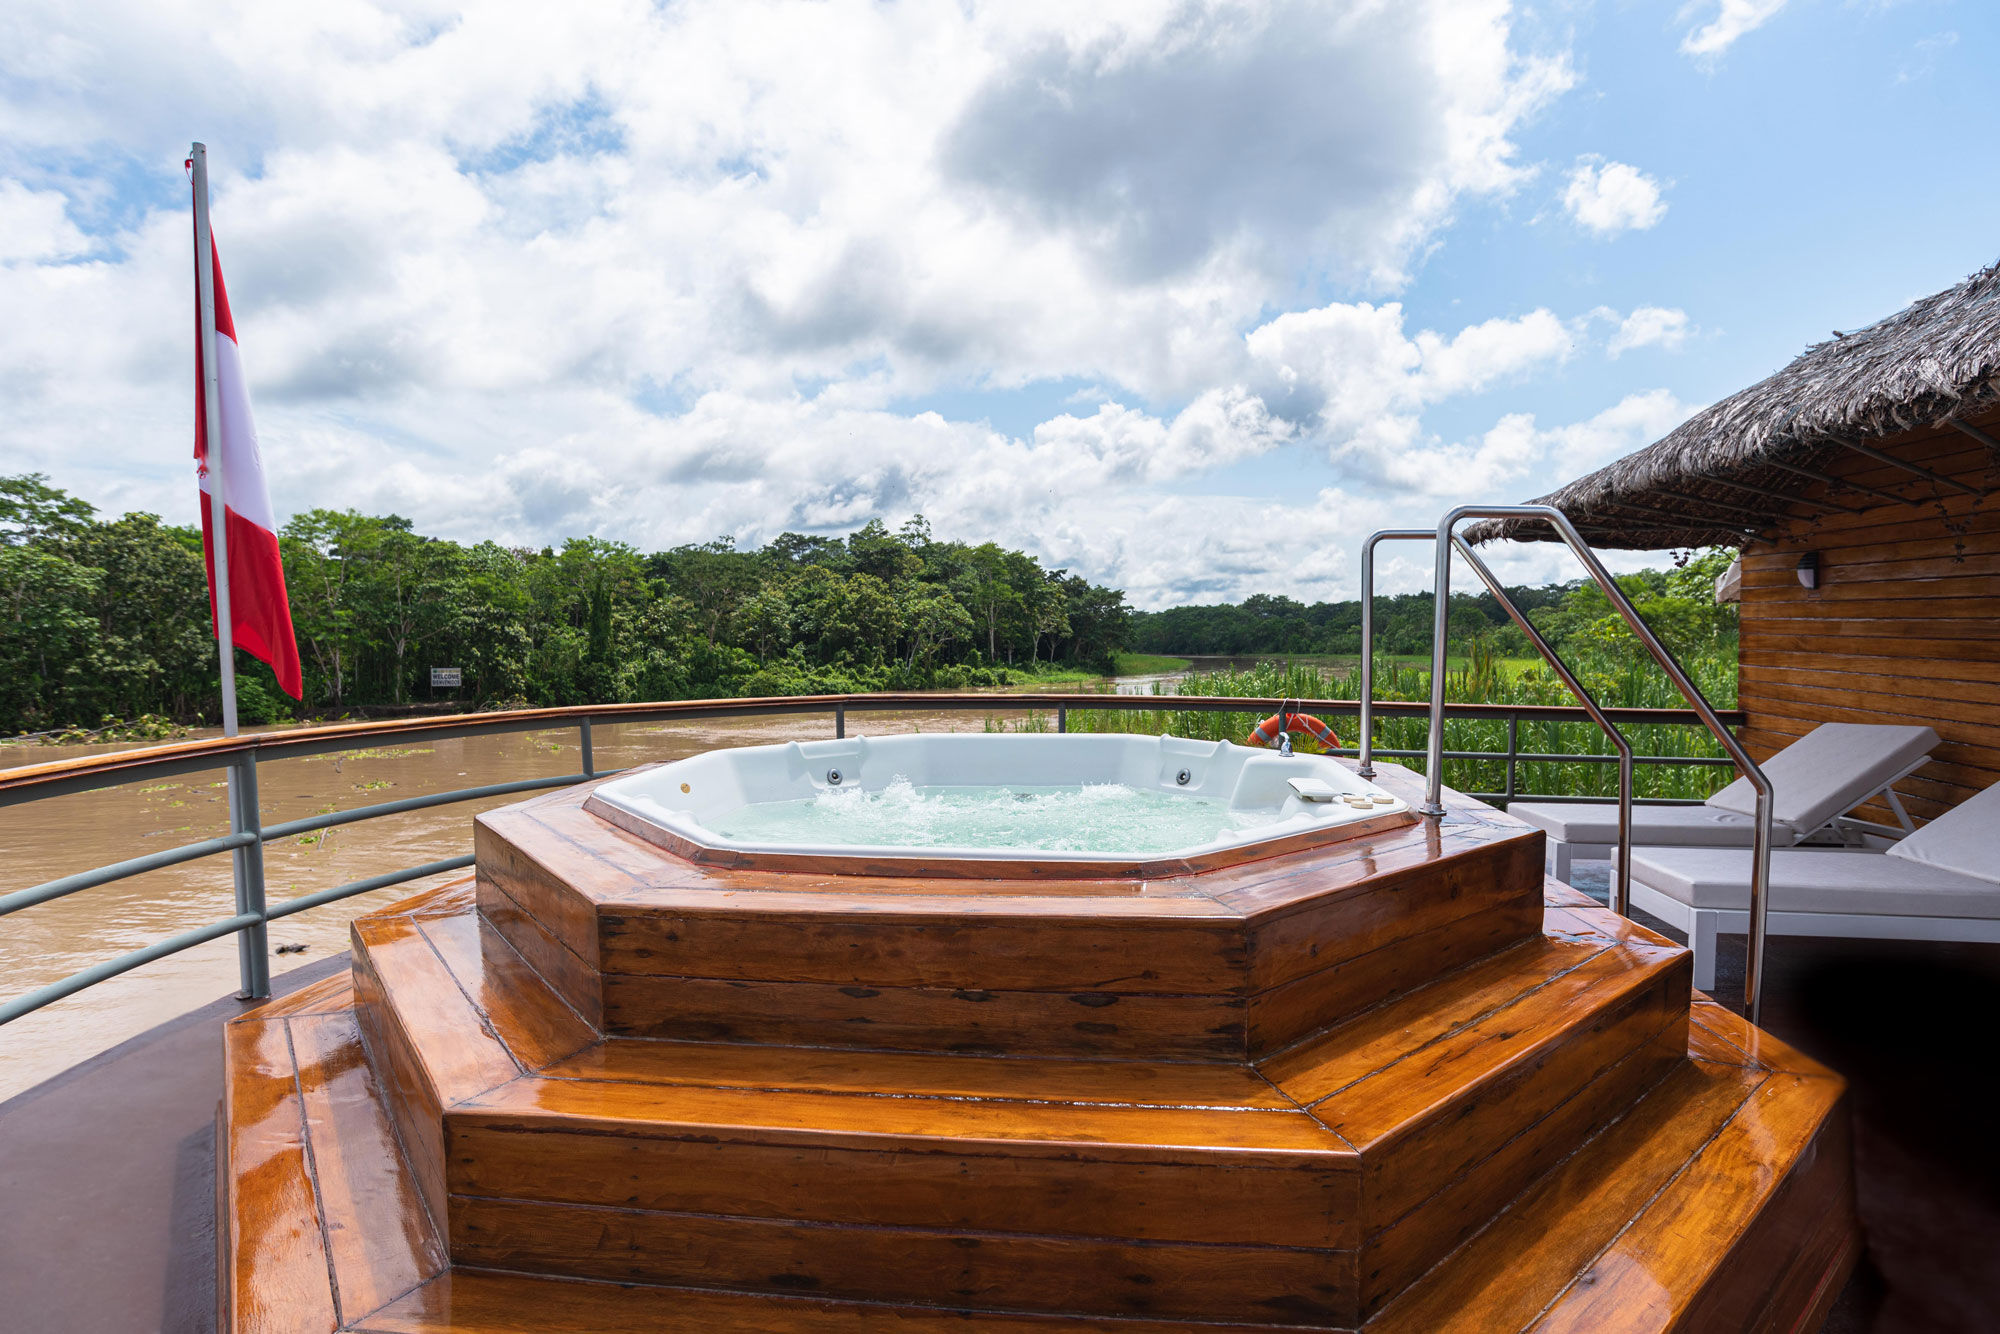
1815, 783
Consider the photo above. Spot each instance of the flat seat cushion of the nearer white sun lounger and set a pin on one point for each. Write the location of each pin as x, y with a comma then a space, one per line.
1859, 883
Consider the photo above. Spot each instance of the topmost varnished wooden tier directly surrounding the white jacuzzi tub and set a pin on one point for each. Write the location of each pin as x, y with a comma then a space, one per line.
1215, 965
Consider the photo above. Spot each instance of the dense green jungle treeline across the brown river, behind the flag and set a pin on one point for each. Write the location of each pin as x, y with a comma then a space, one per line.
109, 619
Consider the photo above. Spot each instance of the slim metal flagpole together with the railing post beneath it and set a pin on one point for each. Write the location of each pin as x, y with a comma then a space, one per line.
253, 955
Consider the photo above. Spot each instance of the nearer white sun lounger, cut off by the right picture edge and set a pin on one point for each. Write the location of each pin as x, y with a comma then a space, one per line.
1941, 883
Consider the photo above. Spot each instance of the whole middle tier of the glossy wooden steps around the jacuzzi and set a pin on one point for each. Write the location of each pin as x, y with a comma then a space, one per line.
1309, 1189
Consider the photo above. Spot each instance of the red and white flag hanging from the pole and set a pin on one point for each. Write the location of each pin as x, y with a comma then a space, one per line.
261, 613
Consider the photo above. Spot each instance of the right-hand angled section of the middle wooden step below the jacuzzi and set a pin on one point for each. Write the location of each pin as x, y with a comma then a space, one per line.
1463, 1093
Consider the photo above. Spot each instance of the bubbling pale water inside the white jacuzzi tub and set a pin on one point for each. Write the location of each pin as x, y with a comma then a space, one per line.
1099, 817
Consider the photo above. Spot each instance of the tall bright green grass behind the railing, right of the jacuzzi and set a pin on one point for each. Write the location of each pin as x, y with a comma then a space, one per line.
1615, 679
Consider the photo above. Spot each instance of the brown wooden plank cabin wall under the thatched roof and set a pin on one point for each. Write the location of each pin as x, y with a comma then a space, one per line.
1903, 625
